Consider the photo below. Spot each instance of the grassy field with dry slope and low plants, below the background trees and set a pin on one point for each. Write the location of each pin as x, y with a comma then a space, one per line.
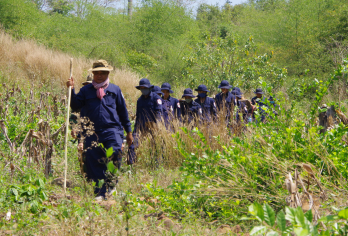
205, 184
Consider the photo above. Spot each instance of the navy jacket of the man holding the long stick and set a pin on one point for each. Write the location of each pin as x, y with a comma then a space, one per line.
110, 112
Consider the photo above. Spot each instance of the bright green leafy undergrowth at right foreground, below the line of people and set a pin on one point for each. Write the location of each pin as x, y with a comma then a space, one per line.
207, 172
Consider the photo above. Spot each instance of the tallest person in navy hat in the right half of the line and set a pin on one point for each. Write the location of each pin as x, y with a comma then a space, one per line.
225, 101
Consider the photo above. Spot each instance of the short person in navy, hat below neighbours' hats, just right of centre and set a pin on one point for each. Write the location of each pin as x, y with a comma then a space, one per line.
191, 111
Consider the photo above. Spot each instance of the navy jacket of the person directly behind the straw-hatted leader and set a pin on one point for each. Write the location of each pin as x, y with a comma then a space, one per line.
148, 110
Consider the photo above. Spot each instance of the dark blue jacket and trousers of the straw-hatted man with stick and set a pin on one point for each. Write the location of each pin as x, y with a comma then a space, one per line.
109, 117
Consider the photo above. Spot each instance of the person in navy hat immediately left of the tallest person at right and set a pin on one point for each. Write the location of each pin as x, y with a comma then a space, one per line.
207, 104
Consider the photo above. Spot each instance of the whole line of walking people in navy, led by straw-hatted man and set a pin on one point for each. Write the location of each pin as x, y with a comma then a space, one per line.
104, 105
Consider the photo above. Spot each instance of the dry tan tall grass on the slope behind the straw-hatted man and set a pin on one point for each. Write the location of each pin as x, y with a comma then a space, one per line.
24, 61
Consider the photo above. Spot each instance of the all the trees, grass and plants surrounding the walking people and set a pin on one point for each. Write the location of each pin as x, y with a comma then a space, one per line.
294, 50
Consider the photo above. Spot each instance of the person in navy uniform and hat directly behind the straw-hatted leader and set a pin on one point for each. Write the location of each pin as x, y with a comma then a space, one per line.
148, 112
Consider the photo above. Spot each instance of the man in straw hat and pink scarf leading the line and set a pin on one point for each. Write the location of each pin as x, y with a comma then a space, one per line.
104, 105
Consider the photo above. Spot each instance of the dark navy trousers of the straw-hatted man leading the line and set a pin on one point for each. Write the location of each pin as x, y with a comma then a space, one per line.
96, 158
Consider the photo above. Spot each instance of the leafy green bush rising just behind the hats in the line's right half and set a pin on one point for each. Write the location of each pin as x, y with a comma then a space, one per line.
215, 59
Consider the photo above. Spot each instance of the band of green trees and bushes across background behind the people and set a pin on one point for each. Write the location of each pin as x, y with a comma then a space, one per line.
164, 42
